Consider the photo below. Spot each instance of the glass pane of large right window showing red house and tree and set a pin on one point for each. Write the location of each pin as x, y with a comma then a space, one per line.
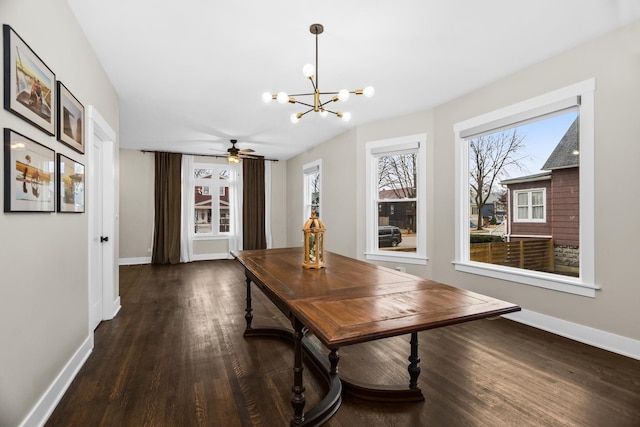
513, 174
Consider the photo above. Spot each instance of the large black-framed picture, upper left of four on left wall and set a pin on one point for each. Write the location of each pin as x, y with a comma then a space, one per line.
29, 85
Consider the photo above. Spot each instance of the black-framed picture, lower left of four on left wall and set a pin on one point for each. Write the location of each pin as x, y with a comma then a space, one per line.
29, 172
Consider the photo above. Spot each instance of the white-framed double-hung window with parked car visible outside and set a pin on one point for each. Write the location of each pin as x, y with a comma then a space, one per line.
396, 200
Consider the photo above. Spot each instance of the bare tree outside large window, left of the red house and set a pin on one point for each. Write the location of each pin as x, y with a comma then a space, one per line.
489, 155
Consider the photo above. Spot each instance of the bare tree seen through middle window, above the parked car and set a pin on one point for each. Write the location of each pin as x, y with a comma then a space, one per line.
398, 173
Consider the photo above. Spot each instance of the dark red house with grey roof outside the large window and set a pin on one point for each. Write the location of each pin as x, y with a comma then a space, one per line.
547, 205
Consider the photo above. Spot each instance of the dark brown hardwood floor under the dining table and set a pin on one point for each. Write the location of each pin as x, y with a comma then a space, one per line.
175, 356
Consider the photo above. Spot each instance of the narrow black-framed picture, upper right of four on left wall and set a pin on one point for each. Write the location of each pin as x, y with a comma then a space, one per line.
70, 119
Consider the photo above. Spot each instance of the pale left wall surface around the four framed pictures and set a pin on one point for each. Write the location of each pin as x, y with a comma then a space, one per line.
43, 256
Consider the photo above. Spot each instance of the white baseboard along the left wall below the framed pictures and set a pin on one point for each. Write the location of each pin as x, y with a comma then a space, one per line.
49, 400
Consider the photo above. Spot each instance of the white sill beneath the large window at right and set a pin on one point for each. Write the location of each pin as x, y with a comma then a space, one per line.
533, 278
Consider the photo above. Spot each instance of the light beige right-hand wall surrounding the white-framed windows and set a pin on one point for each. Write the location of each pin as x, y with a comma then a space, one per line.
614, 61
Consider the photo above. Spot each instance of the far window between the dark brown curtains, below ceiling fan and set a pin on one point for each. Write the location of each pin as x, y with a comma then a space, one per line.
212, 215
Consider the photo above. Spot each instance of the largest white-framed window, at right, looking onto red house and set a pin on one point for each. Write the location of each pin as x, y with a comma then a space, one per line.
524, 205
